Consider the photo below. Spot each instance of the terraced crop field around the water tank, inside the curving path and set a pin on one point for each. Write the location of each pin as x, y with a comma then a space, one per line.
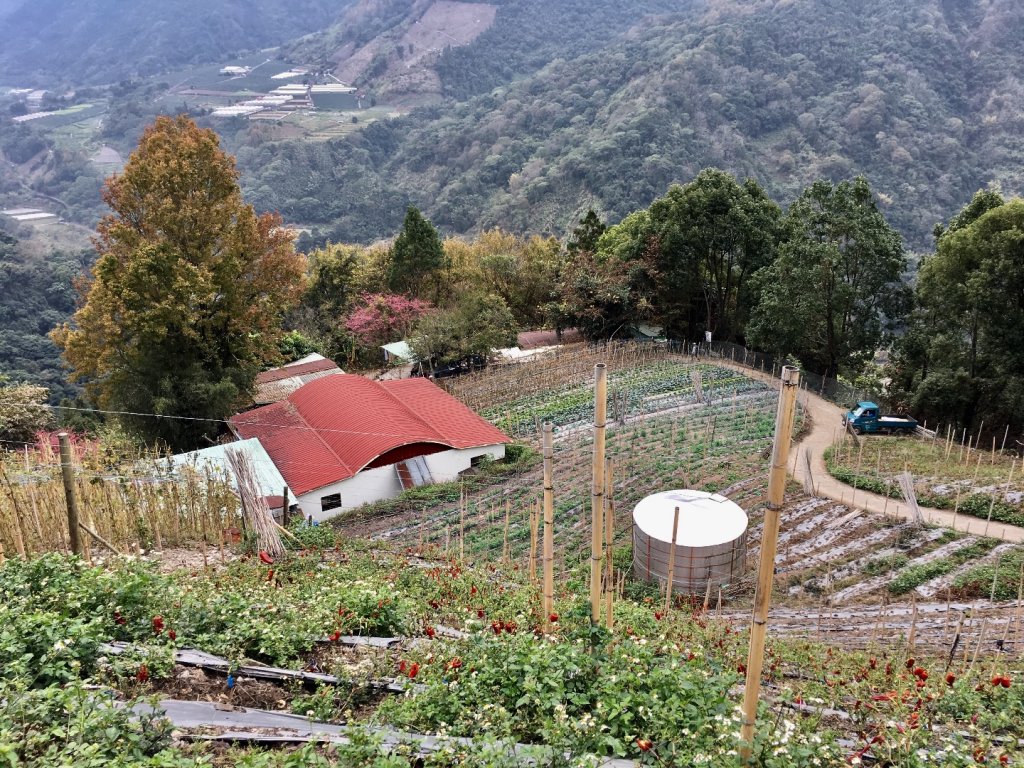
849, 577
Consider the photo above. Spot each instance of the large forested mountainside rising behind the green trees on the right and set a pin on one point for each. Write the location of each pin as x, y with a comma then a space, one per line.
924, 98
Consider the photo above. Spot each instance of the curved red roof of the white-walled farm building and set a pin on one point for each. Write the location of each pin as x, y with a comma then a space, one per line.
334, 428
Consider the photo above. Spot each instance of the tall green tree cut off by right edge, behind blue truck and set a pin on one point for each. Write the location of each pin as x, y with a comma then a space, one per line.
962, 361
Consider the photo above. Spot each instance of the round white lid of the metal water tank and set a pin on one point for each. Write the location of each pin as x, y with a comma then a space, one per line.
705, 520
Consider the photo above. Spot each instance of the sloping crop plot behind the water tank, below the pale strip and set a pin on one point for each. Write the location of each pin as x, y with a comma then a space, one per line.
713, 447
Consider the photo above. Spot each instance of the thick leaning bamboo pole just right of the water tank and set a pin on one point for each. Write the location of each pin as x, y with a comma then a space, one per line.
770, 545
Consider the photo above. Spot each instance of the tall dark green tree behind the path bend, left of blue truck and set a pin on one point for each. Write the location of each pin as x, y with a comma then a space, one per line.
836, 290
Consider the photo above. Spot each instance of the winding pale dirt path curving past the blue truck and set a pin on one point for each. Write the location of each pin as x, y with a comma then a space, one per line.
826, 423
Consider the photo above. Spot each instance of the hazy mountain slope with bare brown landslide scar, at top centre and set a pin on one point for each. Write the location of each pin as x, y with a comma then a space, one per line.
421, 48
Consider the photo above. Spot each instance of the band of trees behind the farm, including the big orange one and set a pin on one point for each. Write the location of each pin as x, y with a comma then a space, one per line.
822, 283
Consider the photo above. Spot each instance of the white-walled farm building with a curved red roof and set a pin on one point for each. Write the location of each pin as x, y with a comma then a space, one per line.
345, 441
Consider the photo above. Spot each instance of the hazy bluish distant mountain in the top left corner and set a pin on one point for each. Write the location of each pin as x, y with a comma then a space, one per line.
100, 41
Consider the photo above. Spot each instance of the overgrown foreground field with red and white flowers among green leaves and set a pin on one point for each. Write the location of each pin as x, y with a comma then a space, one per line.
660, 690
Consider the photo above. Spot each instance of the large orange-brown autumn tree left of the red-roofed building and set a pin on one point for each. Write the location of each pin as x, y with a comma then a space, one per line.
186, 301
